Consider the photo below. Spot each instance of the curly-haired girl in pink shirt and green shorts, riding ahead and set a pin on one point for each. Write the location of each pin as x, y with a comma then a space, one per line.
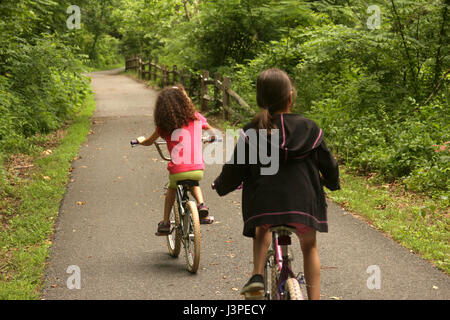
180, 125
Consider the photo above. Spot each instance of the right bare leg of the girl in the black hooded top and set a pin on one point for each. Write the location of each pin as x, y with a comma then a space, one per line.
311, 264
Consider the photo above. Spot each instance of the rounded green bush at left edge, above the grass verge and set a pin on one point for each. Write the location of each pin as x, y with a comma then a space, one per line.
42, 86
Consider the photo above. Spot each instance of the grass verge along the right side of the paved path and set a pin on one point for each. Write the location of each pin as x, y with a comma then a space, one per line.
417, 222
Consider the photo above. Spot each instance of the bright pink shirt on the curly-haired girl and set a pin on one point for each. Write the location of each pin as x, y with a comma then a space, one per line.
185, 146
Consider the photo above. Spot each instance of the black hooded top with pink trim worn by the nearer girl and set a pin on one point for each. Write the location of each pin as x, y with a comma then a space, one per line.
295, 192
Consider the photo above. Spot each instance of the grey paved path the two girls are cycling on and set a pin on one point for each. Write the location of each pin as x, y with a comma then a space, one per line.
111, 237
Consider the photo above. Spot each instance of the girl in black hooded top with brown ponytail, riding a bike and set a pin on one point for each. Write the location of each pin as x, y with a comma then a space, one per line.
294, 195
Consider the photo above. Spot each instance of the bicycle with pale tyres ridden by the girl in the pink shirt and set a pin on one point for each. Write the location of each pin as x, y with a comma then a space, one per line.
184, 218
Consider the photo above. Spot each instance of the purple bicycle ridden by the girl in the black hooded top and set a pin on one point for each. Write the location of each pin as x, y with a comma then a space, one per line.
283, 284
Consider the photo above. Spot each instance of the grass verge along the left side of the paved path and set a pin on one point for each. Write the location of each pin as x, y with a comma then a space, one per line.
30, 207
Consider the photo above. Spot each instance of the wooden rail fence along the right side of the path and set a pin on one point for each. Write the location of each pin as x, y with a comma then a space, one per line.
196, 84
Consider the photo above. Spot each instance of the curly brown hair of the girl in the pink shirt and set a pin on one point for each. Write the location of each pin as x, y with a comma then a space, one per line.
174, 109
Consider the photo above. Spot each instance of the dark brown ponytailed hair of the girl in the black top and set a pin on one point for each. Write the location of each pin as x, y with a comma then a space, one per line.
273, 90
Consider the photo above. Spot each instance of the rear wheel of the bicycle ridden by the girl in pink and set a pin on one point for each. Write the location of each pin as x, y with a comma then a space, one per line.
193, 237
